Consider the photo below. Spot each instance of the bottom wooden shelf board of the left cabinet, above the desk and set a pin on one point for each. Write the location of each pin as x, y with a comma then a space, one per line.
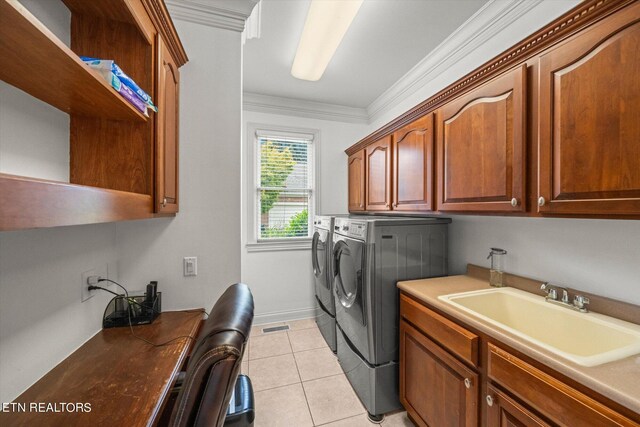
36, 203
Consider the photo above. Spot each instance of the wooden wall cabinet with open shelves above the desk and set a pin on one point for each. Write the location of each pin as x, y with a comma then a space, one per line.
123, 165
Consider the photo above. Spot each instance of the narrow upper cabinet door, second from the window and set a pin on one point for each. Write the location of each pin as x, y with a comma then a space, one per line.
378, 175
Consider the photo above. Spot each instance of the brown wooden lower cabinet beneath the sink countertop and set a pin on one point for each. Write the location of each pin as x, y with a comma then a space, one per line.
437, 387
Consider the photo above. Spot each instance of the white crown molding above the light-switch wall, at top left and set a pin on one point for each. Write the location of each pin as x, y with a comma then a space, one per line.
224, 14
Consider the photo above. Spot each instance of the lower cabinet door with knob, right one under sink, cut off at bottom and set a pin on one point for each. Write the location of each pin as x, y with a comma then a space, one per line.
503, 411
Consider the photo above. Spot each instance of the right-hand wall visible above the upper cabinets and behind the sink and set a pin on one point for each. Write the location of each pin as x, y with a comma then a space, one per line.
599, 256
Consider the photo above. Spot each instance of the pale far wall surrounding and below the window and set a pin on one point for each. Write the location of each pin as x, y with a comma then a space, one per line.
282, 281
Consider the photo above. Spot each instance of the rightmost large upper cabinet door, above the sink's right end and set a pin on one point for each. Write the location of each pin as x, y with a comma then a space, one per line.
589, 122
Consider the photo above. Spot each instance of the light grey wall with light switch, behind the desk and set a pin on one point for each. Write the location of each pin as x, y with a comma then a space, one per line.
208, 224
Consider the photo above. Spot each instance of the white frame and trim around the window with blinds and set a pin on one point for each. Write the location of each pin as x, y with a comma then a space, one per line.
254, 243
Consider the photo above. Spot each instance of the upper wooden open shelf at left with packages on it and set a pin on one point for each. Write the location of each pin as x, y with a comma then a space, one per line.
33, 59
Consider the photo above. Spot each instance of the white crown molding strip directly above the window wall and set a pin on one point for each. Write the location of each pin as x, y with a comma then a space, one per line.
302, 108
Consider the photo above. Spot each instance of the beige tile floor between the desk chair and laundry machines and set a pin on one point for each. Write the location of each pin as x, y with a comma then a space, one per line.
298, 381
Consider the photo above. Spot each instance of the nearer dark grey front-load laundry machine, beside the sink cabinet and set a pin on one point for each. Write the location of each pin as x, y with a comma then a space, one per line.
369, 256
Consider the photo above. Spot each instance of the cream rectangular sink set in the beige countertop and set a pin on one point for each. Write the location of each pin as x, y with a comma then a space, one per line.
588, 339
